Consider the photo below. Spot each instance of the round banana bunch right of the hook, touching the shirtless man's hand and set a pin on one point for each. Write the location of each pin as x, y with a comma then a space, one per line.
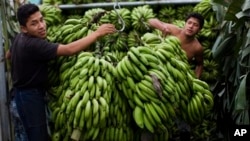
140, 16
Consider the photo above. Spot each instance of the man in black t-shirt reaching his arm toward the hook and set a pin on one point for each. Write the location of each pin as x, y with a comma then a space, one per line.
29, 54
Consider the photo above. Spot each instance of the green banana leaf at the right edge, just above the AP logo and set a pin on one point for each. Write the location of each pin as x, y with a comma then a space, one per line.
241, 102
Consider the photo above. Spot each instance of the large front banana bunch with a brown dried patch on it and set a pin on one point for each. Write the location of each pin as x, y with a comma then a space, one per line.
144, 83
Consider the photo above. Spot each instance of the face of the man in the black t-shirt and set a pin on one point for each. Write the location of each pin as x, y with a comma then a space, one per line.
35, 26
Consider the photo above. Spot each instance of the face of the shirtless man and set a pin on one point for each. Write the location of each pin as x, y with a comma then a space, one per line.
192, 27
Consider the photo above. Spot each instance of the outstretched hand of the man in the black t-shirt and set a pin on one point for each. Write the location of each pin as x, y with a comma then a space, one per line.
105, 29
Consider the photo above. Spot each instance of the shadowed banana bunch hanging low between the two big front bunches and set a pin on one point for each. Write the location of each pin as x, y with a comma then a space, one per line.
119, 126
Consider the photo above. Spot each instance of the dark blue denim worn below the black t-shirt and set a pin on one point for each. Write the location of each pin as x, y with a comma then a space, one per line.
31, 109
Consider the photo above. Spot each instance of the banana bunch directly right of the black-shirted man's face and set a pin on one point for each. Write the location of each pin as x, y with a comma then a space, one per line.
52, 14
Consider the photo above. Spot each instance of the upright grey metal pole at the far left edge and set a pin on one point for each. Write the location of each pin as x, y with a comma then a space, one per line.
4, 112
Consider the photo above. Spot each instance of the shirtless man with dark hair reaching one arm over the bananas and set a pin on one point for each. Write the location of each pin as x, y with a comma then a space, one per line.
193, 24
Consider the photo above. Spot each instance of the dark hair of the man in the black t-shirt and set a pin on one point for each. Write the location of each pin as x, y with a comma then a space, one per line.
24, 12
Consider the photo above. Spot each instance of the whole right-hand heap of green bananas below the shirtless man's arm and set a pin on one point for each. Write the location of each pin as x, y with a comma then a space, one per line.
156, 80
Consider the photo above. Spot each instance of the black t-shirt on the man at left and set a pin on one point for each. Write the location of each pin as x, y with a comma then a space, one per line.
29, 59
